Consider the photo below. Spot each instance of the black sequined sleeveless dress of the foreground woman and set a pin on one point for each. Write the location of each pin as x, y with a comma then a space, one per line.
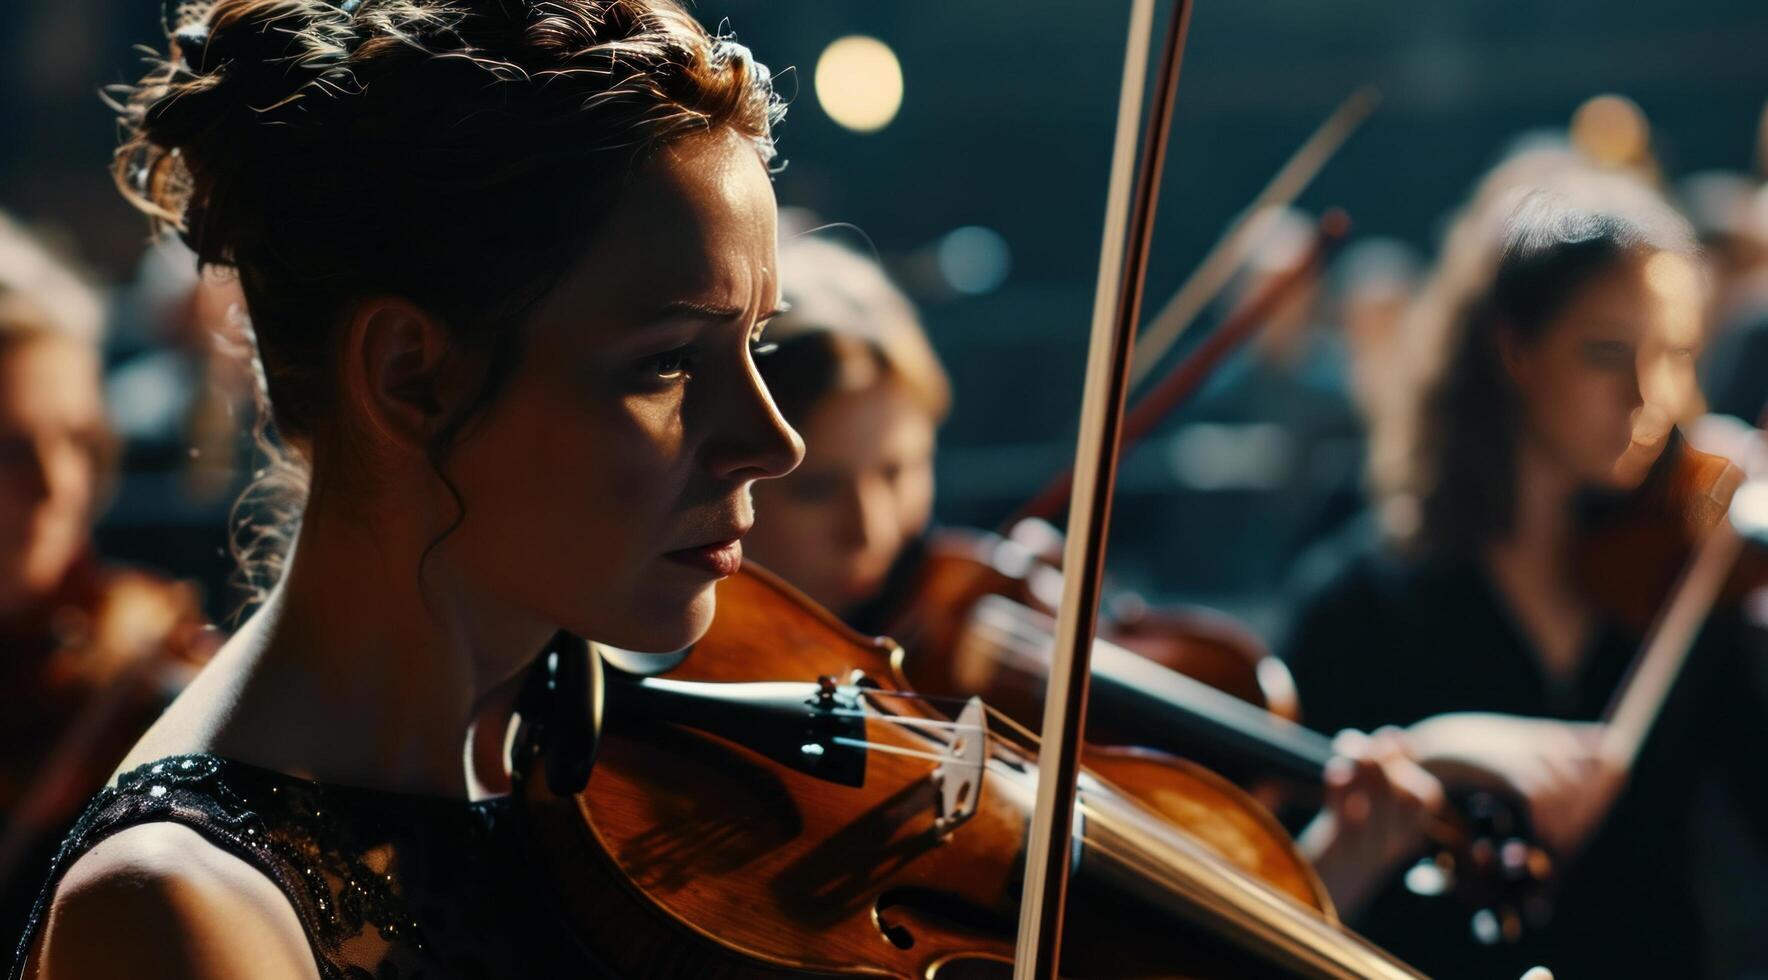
386, 885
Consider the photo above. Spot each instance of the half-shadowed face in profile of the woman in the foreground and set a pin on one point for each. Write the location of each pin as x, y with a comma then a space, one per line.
607, 489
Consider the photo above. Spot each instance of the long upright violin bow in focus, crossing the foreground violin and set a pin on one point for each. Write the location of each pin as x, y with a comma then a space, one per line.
1116, 312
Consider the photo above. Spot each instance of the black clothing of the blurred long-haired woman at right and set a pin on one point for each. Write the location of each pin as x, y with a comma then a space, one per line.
1391, 641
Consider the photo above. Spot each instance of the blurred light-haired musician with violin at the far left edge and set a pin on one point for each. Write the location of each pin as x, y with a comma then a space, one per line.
91, 652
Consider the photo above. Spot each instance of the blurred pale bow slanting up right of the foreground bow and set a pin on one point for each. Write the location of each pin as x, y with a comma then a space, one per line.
1214, 273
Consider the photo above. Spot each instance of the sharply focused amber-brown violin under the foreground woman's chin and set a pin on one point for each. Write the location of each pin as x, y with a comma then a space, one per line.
782, 804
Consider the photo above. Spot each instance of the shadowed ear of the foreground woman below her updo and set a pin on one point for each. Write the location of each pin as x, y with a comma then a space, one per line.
400, 372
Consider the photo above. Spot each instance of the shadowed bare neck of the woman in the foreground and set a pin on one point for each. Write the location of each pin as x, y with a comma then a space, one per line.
356, 673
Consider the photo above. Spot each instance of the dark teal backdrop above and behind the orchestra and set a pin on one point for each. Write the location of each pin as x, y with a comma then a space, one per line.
1007, 125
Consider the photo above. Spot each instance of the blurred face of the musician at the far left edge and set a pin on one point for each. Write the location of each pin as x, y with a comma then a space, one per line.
54, 443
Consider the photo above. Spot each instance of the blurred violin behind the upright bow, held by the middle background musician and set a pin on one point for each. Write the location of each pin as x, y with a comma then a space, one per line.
1000, 648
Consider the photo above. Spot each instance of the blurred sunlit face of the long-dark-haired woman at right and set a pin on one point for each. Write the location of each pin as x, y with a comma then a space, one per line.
1615, 371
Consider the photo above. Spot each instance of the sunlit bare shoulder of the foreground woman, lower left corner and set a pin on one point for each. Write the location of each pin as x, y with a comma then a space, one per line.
158, 901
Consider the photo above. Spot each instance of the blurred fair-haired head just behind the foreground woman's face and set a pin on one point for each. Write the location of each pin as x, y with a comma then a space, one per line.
851, 369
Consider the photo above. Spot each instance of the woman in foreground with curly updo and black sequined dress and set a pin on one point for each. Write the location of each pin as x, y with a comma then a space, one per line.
507, 268
